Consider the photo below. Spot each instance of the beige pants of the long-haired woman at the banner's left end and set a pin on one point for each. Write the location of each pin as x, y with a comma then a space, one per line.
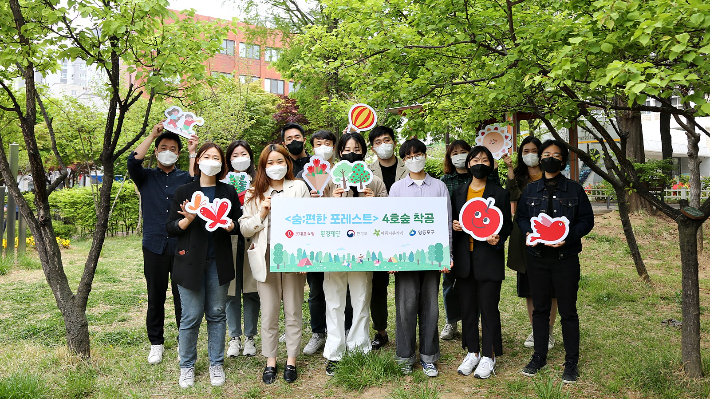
286, 287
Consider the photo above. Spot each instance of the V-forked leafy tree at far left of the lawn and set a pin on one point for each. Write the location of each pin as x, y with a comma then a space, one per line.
139, 37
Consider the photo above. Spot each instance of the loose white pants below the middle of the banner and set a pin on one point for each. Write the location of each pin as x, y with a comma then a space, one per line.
335, 287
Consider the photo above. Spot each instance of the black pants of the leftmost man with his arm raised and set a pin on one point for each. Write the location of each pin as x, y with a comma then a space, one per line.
157, 269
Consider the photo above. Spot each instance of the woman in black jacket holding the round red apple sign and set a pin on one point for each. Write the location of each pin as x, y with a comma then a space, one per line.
479, 266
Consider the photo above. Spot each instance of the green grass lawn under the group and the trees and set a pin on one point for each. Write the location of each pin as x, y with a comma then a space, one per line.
626, 352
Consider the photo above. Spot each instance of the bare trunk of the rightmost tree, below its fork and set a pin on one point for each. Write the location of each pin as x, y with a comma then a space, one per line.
690, 332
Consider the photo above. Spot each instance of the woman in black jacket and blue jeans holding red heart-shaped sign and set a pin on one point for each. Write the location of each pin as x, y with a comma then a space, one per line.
204, 265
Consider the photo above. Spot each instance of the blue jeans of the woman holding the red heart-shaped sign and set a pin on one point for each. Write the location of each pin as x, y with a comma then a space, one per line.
209, 301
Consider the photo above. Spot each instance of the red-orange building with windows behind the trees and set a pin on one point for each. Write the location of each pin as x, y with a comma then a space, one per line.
249, 59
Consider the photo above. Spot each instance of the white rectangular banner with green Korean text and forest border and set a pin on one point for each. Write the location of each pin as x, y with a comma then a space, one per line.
359, 234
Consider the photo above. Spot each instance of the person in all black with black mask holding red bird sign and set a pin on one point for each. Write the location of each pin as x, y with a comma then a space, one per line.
555, 267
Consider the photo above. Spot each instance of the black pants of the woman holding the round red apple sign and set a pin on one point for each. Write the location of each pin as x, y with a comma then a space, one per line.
480, 297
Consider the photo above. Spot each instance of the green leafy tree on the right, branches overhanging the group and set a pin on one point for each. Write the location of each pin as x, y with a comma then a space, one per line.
574, 64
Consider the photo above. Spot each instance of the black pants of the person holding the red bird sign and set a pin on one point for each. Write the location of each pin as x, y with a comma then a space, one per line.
550, 274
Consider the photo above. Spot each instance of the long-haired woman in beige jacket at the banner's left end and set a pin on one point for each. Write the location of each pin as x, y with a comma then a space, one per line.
274, 177
